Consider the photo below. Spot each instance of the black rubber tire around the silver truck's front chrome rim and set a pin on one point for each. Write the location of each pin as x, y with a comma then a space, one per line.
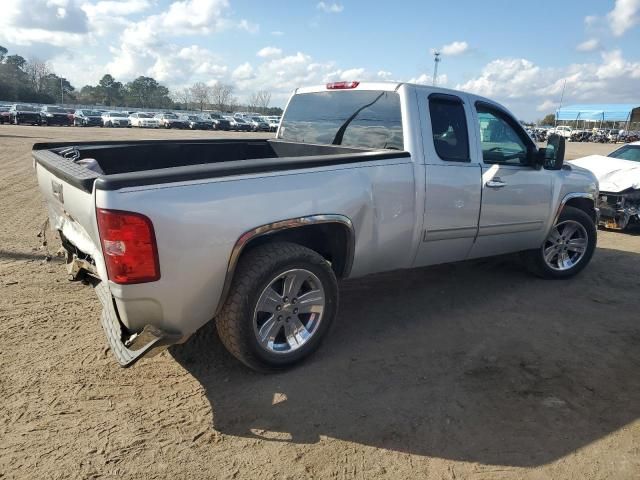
534, 259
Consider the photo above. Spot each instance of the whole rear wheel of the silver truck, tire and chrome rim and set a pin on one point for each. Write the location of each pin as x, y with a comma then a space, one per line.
282, 302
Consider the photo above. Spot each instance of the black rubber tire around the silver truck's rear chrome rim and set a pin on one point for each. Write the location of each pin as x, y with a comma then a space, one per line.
255, 270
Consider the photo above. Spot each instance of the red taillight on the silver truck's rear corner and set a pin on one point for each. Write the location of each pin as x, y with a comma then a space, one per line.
129, 246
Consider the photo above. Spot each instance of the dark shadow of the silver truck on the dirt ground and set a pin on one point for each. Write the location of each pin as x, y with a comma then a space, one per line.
474, 361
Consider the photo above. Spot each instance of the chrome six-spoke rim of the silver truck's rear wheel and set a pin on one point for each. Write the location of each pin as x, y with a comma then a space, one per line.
289, 311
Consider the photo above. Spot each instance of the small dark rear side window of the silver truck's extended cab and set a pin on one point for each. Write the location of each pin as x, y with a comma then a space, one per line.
449, 126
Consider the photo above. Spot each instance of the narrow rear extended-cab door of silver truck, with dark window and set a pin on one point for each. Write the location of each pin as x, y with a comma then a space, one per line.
452, 184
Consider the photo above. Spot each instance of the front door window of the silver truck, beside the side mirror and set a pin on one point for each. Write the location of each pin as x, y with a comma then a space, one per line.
500, 141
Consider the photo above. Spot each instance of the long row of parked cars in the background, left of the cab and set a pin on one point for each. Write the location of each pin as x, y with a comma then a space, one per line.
54, 115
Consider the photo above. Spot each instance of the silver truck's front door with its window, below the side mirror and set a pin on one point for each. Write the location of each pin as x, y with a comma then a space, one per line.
516, 196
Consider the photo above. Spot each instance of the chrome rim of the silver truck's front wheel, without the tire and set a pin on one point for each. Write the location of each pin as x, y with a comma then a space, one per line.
565, 246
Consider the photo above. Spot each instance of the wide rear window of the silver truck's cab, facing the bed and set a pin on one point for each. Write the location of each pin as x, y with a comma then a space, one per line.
365, 119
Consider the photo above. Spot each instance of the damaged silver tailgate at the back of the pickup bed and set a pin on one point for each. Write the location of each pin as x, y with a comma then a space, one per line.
67, 189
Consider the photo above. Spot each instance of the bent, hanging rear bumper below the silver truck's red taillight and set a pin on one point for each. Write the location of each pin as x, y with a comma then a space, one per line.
129, 348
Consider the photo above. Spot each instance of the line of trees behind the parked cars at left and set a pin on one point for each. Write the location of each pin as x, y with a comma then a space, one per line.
33, 81
